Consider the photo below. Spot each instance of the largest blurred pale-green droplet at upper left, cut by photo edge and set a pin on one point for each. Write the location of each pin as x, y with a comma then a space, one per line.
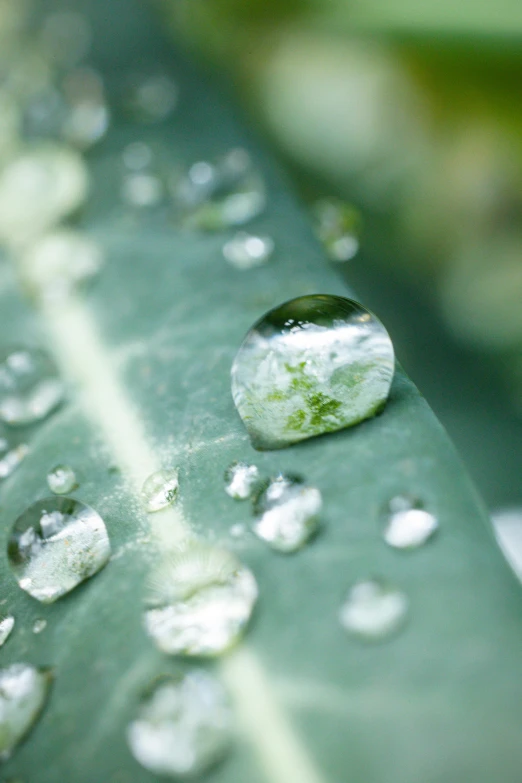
38, 189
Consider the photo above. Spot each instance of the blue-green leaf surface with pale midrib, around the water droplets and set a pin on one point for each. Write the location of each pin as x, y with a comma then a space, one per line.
147, 354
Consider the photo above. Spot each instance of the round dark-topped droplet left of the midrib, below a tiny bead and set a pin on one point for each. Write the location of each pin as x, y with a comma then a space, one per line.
55, 545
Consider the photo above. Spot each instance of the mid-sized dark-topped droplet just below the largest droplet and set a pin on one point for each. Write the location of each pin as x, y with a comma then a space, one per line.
287, 513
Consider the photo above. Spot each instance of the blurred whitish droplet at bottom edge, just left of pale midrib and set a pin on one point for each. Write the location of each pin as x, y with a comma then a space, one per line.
183, 726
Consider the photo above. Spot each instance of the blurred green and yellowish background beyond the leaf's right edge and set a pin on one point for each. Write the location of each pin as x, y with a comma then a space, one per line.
411, 112
